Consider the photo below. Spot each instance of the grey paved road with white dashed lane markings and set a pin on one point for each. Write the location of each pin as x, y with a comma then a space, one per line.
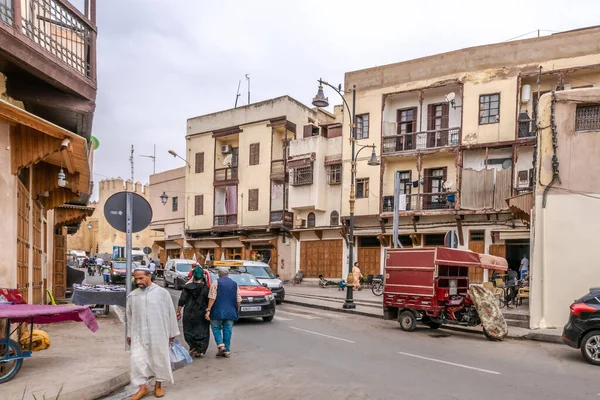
306, 353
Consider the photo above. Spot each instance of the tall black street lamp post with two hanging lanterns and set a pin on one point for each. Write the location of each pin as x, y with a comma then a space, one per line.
321, 101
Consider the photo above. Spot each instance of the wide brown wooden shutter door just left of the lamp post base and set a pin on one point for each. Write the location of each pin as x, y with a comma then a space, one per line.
321, 257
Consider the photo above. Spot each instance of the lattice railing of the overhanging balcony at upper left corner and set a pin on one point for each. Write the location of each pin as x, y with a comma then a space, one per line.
57, 28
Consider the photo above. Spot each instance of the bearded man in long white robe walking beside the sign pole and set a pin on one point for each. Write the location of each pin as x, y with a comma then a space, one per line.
151, 326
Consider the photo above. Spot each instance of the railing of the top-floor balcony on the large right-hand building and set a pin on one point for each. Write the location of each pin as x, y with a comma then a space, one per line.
421, 140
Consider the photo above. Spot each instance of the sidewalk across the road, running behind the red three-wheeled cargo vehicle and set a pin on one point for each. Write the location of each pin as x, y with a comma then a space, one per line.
369, 305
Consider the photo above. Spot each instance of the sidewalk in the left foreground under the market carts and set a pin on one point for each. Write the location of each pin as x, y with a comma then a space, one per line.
84, 364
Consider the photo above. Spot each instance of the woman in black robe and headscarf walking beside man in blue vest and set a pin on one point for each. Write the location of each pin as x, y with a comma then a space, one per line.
194, 301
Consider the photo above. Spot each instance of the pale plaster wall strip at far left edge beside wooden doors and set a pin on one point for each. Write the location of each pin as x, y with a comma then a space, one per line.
8, 209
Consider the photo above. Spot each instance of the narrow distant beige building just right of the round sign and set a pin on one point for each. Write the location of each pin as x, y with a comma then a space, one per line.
169, 202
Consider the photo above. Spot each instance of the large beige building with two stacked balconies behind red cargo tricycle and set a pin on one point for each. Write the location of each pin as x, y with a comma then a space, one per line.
457, 129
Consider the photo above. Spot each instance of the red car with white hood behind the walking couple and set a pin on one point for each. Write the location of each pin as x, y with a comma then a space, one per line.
257, 300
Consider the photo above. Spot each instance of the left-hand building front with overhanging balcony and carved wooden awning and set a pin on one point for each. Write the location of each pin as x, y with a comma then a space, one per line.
48, 91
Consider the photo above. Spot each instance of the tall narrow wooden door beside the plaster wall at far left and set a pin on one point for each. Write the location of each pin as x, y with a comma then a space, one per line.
23, 241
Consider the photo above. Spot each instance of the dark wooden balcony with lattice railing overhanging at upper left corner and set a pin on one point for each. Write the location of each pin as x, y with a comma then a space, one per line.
52, 40
